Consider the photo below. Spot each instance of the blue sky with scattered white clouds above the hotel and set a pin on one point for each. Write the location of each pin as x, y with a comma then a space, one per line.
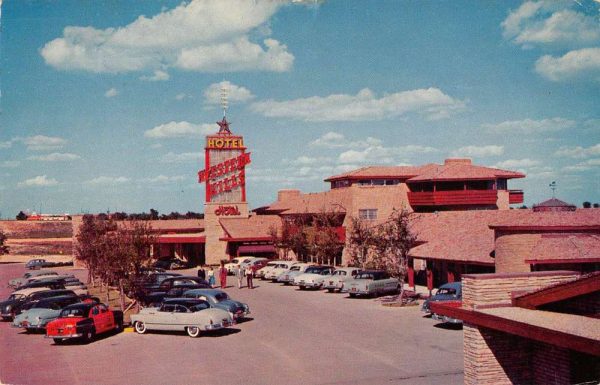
105, 104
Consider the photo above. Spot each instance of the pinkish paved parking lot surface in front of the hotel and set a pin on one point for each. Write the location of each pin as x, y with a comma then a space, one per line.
293, 337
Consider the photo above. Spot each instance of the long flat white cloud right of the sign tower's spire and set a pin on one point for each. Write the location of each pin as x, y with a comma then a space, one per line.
431, 103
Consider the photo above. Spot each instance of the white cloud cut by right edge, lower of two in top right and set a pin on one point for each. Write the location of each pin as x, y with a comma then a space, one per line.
582, 63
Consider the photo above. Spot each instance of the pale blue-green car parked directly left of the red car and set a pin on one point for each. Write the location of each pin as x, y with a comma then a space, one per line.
35, 316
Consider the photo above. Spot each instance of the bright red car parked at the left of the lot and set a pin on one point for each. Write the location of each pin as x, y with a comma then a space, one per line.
85, 321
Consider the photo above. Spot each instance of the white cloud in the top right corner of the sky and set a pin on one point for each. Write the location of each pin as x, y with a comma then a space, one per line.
550, 22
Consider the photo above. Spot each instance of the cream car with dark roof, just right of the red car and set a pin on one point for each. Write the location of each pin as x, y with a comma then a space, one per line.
186, 314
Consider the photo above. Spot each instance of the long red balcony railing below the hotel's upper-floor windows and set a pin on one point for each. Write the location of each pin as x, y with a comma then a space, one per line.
458, 197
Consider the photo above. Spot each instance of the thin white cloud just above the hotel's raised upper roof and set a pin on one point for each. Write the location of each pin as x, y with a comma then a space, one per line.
379, 154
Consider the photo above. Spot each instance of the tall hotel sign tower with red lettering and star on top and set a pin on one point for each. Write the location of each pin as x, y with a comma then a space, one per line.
225, 177
